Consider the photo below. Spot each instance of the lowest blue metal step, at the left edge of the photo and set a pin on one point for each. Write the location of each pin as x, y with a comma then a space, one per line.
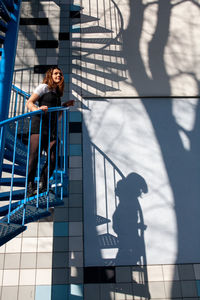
9, 231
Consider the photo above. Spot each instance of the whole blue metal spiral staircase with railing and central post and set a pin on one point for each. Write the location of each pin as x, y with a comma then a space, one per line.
16, 208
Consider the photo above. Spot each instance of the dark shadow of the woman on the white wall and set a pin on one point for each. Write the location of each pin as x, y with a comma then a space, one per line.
128, 221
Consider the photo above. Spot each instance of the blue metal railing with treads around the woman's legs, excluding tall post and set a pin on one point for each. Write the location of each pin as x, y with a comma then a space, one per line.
27, 209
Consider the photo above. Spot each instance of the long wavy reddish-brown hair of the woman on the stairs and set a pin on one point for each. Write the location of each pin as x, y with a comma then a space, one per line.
51, 84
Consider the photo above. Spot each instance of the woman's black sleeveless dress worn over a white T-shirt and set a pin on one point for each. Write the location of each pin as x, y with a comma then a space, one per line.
50, 99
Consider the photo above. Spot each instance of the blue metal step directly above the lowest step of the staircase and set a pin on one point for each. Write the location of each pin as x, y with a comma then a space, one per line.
32, 214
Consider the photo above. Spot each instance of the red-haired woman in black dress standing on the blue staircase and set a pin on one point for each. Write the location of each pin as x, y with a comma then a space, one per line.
47, 95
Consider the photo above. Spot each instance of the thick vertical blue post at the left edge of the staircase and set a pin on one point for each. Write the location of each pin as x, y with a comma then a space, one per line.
6, 69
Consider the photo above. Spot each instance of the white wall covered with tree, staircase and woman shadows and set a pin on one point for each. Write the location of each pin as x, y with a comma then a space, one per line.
131, 50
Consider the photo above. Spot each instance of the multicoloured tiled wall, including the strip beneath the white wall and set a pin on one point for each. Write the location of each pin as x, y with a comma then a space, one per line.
46, 262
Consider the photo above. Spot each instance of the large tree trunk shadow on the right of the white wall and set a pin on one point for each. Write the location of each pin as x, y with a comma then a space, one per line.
182, 164
